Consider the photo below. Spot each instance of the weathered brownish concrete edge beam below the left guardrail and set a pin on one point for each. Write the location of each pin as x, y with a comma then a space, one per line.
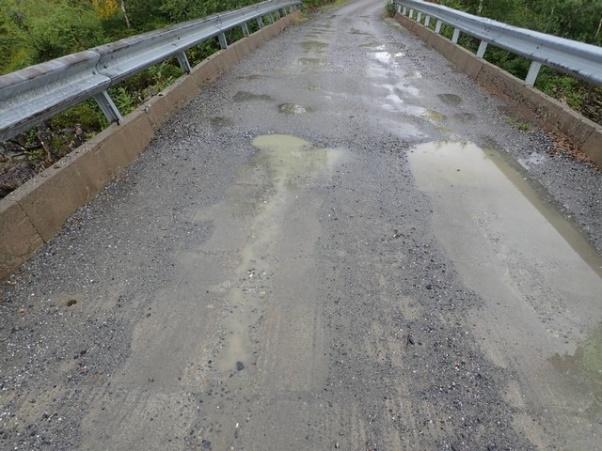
36, 211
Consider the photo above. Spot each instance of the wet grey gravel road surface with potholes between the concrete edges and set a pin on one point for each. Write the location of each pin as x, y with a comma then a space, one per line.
343, 244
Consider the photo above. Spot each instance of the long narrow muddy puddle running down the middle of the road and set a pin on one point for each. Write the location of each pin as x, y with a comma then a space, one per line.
286, 164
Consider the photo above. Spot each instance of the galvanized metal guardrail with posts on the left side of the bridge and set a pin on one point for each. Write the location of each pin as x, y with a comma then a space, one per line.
36, 93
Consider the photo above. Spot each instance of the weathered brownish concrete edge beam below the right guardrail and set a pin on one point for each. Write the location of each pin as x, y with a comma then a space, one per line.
527, 101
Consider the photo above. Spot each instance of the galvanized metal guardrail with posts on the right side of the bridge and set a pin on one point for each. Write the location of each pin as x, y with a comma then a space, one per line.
573, 57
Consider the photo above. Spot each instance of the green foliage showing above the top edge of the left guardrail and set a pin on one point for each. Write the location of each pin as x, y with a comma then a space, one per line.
32, 31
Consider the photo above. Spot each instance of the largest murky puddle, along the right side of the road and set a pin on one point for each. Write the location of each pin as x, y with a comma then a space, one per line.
538, 279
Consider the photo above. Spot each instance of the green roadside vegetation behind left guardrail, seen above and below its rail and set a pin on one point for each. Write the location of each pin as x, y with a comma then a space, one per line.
35, 31
